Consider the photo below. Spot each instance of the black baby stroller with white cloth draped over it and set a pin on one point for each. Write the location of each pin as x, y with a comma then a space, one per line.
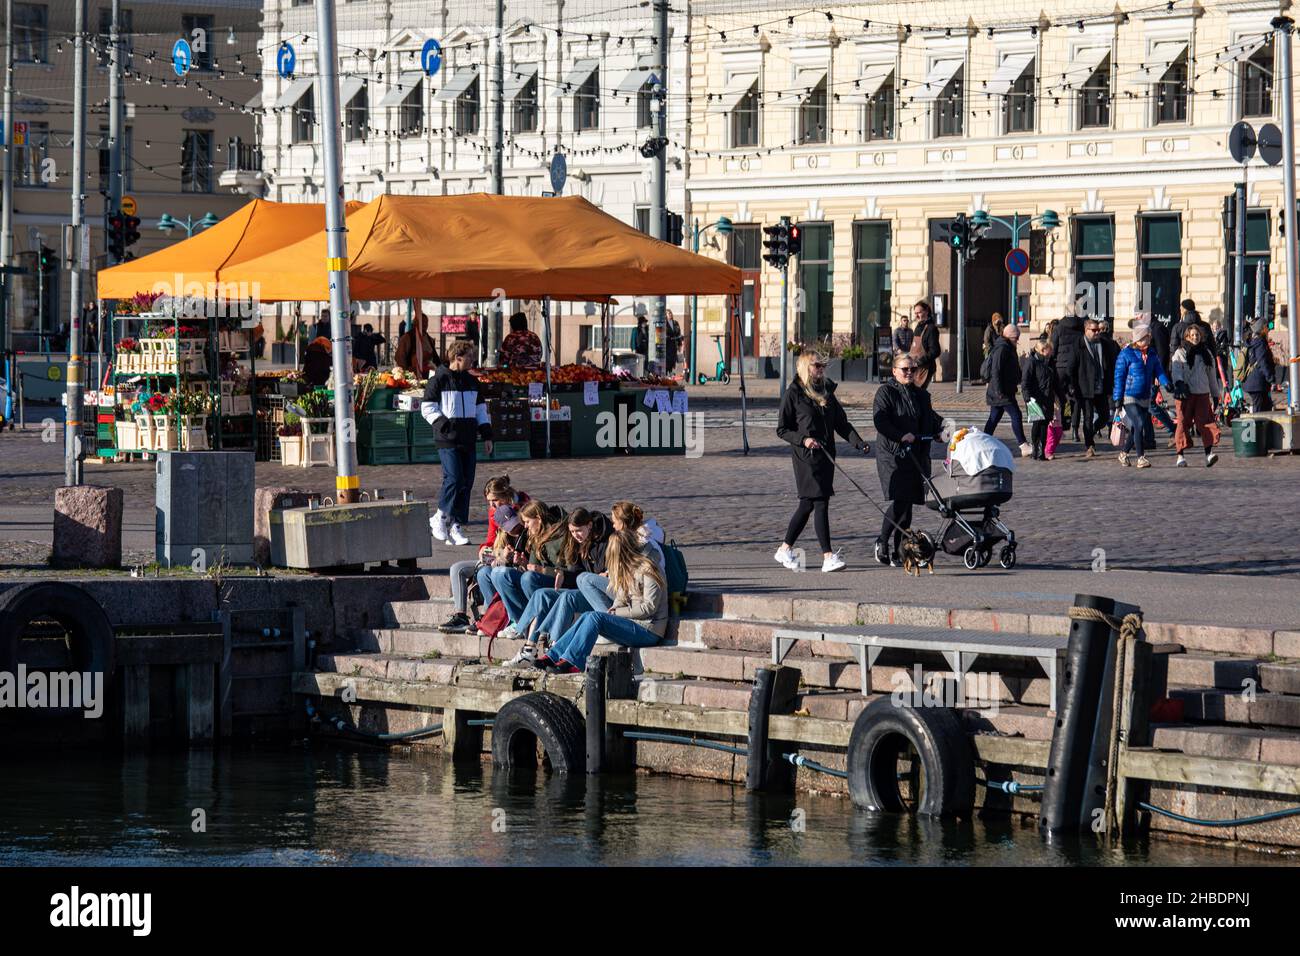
976, 479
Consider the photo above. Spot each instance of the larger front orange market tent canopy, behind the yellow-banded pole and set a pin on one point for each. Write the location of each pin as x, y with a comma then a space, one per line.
482, 246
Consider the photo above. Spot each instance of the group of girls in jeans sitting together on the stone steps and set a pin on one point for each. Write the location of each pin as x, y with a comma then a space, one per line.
566, 579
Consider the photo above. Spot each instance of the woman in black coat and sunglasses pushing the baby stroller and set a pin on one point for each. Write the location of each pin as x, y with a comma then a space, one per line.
904, 417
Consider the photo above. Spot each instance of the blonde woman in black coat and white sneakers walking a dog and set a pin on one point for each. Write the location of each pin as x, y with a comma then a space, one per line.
811, 419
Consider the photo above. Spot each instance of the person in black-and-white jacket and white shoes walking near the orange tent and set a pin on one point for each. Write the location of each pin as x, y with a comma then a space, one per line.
458, 418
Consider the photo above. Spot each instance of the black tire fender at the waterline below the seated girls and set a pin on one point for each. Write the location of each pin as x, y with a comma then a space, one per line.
553, 721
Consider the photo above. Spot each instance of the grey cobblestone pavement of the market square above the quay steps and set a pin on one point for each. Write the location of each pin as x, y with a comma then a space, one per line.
730, 509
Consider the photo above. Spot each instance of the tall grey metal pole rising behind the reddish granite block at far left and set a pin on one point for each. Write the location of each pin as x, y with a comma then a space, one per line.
76, 365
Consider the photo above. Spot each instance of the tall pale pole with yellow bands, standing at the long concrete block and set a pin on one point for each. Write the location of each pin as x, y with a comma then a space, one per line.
348, 483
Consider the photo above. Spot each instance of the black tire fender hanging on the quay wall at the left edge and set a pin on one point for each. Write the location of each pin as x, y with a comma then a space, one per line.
92, 639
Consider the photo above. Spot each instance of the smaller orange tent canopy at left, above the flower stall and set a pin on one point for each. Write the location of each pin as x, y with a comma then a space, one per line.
250, 232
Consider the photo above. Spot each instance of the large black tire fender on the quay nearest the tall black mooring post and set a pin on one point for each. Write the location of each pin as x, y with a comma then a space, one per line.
883, 732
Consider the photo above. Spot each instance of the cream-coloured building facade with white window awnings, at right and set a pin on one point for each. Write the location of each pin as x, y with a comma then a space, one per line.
874, 129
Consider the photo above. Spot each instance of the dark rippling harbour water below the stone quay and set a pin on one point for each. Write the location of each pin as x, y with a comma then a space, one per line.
331, 807
